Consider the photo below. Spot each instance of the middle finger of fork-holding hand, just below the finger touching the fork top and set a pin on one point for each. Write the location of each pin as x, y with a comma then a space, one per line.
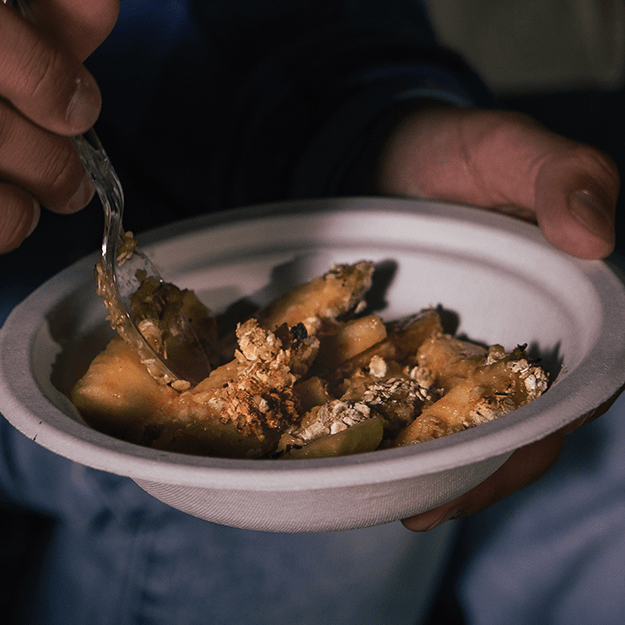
44, 164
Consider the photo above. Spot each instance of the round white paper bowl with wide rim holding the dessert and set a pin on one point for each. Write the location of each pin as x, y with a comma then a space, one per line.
500, 277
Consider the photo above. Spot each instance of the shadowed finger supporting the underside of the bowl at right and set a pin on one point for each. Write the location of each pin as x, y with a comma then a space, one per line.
525, 466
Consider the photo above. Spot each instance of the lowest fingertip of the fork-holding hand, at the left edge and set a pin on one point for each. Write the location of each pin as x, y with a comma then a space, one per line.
19, 214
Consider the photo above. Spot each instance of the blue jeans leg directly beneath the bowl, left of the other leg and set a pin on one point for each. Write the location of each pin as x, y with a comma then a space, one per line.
116, 556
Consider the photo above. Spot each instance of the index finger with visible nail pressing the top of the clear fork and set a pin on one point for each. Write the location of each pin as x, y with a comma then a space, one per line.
47, 85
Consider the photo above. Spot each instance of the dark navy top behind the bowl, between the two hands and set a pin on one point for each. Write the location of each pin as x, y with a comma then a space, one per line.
210, 105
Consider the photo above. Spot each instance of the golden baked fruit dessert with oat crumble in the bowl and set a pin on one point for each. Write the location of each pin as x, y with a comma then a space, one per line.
311, 375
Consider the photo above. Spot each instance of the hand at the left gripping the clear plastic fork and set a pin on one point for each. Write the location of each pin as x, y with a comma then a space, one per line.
46, 96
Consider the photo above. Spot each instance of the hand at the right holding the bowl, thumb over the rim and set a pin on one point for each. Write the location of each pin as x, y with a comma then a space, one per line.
507, 162
